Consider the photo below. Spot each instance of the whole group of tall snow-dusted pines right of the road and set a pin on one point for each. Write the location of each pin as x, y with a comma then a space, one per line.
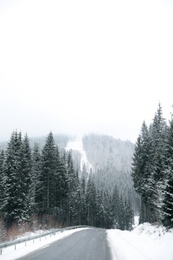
152, 170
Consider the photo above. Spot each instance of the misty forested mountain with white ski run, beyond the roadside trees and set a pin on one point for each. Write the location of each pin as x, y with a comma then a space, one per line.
107, 161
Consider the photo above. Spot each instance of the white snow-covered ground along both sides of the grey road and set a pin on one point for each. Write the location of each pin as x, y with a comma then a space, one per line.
145, 242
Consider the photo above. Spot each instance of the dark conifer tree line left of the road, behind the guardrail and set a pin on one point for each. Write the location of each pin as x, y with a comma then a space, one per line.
43, 185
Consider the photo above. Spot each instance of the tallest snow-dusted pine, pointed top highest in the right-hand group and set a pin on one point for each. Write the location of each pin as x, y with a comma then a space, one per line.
158, 154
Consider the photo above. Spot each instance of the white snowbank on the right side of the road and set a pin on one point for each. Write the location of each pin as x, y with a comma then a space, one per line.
145, 242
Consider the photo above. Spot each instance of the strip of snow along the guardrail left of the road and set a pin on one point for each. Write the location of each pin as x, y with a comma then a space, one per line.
10, 253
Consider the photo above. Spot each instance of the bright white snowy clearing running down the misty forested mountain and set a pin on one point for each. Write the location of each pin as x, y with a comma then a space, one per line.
78, 146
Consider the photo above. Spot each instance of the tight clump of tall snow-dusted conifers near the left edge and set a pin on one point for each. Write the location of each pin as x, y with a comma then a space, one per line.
17, 180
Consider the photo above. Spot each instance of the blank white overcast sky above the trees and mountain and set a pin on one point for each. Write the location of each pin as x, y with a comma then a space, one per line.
84, 66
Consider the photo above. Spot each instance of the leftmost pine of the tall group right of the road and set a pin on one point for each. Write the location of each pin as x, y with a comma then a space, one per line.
141, 172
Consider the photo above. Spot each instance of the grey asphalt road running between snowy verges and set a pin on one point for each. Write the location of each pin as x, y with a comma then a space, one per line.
89, 244
